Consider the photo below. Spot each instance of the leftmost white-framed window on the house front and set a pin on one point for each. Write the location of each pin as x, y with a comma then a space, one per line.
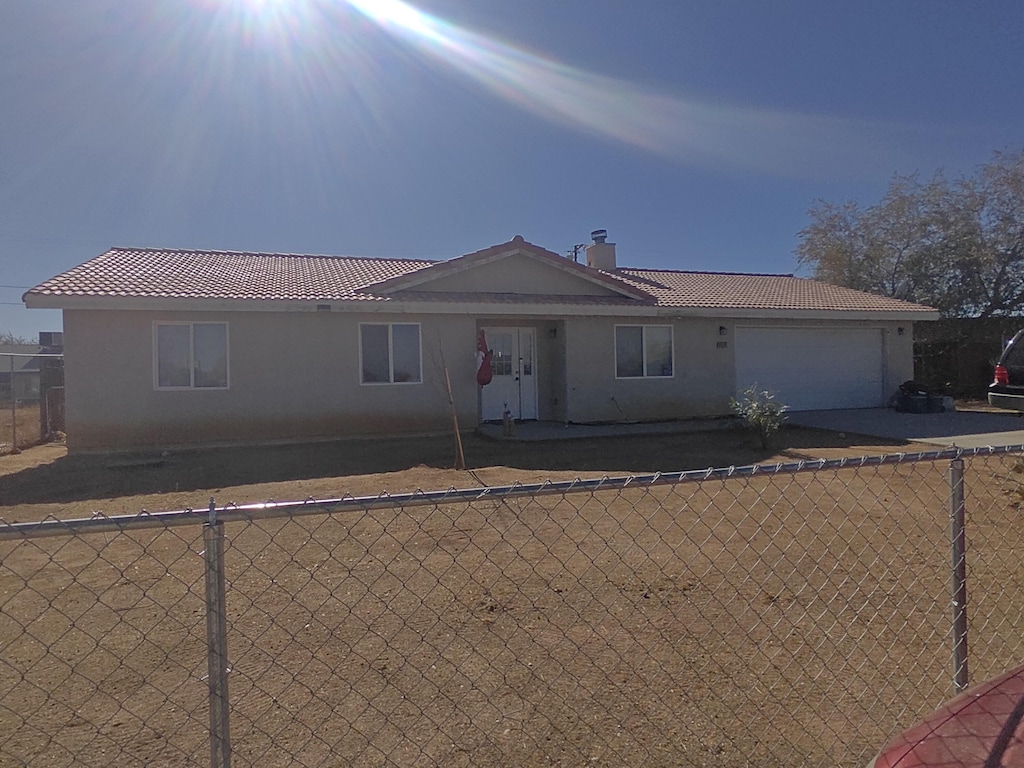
192, 356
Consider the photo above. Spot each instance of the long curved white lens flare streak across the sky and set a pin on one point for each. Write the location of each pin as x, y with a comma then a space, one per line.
695, 132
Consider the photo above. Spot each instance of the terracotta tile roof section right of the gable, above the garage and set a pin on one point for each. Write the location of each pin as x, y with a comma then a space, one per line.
737, 291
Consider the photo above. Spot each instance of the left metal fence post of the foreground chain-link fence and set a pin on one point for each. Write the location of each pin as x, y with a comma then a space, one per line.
217, 639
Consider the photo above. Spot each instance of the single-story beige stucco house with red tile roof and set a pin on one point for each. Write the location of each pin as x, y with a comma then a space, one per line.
167, 348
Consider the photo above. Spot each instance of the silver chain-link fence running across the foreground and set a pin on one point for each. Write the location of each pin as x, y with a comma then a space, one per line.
785, 616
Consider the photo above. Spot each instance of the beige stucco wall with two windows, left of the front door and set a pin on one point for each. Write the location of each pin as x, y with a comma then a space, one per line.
293, 376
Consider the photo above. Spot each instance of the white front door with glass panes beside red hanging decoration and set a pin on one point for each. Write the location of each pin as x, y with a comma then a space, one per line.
514, 385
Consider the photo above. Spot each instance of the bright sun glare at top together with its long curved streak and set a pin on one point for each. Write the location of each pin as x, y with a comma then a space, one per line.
325, 41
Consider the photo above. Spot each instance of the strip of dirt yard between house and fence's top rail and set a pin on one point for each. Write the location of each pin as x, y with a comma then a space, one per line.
45, 481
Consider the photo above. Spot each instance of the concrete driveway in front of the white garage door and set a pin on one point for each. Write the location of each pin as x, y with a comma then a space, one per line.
966, 430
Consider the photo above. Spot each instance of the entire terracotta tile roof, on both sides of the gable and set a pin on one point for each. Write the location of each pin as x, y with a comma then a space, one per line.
167, 274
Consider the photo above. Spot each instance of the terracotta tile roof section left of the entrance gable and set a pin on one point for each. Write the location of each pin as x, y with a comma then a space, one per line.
225, 275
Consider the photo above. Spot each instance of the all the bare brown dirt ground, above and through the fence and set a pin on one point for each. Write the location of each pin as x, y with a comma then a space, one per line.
771, 622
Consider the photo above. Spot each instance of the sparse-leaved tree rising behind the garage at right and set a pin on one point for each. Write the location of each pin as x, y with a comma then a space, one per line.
957, 246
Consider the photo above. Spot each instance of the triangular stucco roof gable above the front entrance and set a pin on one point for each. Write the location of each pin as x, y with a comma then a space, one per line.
515, 268
